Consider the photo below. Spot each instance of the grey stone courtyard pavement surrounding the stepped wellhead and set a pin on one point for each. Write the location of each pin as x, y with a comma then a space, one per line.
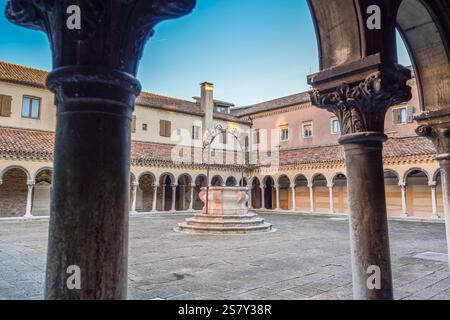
307, 258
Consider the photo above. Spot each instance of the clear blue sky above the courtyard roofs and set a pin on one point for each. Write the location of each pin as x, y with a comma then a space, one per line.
252, 50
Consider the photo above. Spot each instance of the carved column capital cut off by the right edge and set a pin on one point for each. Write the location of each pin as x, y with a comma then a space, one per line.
435, 125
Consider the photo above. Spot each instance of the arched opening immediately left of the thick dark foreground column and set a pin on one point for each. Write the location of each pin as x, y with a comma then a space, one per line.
42, 193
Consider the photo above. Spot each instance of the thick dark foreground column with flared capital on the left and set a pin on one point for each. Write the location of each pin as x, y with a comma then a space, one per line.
95, 90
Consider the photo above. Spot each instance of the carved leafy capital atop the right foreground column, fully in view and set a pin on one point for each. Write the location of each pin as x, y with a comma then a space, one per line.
361, 107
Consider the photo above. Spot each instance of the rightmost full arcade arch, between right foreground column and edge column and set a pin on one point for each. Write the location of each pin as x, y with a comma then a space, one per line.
418, 194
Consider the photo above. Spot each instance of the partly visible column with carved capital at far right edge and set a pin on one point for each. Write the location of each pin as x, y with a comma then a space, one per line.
435, 125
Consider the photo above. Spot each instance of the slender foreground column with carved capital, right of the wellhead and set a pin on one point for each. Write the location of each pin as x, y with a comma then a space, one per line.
360, 104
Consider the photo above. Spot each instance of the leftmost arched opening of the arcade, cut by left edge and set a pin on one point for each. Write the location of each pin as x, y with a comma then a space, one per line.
13, 193
